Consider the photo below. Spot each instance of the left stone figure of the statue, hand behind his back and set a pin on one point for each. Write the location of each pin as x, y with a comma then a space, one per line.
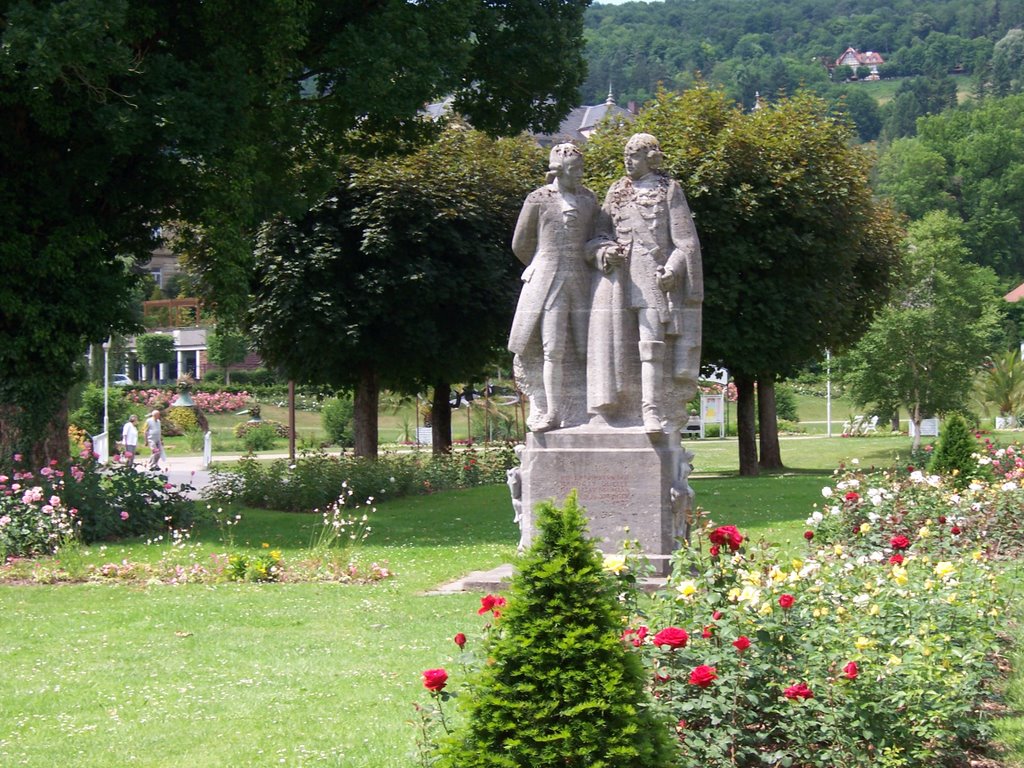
549, 332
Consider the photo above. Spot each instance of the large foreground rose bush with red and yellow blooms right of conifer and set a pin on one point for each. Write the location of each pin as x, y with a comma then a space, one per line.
837, 659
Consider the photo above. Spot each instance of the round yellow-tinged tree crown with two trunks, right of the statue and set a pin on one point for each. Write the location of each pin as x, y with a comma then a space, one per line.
797, 253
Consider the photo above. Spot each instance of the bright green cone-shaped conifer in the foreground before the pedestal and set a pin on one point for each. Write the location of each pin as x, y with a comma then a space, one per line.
561, 690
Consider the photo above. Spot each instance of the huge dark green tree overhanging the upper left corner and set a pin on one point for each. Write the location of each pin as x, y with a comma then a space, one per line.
122, 115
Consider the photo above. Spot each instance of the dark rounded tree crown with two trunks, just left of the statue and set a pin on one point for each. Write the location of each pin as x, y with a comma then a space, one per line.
402, 278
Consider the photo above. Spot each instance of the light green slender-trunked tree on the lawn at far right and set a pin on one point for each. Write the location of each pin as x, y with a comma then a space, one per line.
924, 350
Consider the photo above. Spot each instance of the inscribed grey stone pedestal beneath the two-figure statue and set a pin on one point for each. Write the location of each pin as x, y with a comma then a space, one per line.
632, 485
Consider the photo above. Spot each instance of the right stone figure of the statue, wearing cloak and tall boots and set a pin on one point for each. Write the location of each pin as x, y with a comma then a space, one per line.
646, 323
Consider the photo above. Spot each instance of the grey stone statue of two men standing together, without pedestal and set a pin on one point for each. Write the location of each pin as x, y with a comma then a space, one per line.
608, 328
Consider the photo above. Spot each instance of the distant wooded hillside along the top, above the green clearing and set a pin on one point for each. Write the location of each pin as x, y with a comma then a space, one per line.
773, 46
